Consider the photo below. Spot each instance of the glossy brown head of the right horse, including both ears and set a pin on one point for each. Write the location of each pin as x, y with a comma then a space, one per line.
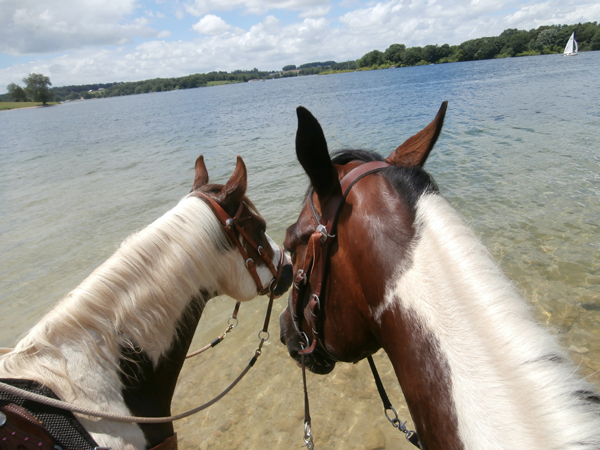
374, 233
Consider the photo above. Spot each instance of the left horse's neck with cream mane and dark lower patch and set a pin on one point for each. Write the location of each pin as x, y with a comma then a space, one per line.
134, 313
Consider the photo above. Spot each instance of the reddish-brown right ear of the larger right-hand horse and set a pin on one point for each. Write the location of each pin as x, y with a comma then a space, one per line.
415, 150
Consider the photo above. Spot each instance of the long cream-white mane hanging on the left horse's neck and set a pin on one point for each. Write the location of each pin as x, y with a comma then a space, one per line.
132, 300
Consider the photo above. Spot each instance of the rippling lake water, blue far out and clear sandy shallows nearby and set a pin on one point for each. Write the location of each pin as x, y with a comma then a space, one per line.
518, 157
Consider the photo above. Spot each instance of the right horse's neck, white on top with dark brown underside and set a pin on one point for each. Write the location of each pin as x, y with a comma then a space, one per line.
476, 371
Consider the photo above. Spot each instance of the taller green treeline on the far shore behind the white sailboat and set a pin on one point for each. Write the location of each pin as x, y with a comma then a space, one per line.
512, 42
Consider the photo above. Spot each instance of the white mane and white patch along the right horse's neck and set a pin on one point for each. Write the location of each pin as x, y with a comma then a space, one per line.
512, 384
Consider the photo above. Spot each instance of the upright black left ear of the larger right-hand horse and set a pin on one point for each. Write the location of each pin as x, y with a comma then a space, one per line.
312, 153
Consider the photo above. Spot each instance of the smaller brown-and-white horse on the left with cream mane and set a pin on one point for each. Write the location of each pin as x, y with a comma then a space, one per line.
118, 341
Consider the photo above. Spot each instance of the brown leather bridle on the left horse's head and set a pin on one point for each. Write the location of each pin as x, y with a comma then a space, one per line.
231, 226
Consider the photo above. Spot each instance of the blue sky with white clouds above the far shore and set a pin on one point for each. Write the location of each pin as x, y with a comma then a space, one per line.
78, 42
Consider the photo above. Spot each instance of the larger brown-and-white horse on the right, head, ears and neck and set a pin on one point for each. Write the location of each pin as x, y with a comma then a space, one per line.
381, 260
